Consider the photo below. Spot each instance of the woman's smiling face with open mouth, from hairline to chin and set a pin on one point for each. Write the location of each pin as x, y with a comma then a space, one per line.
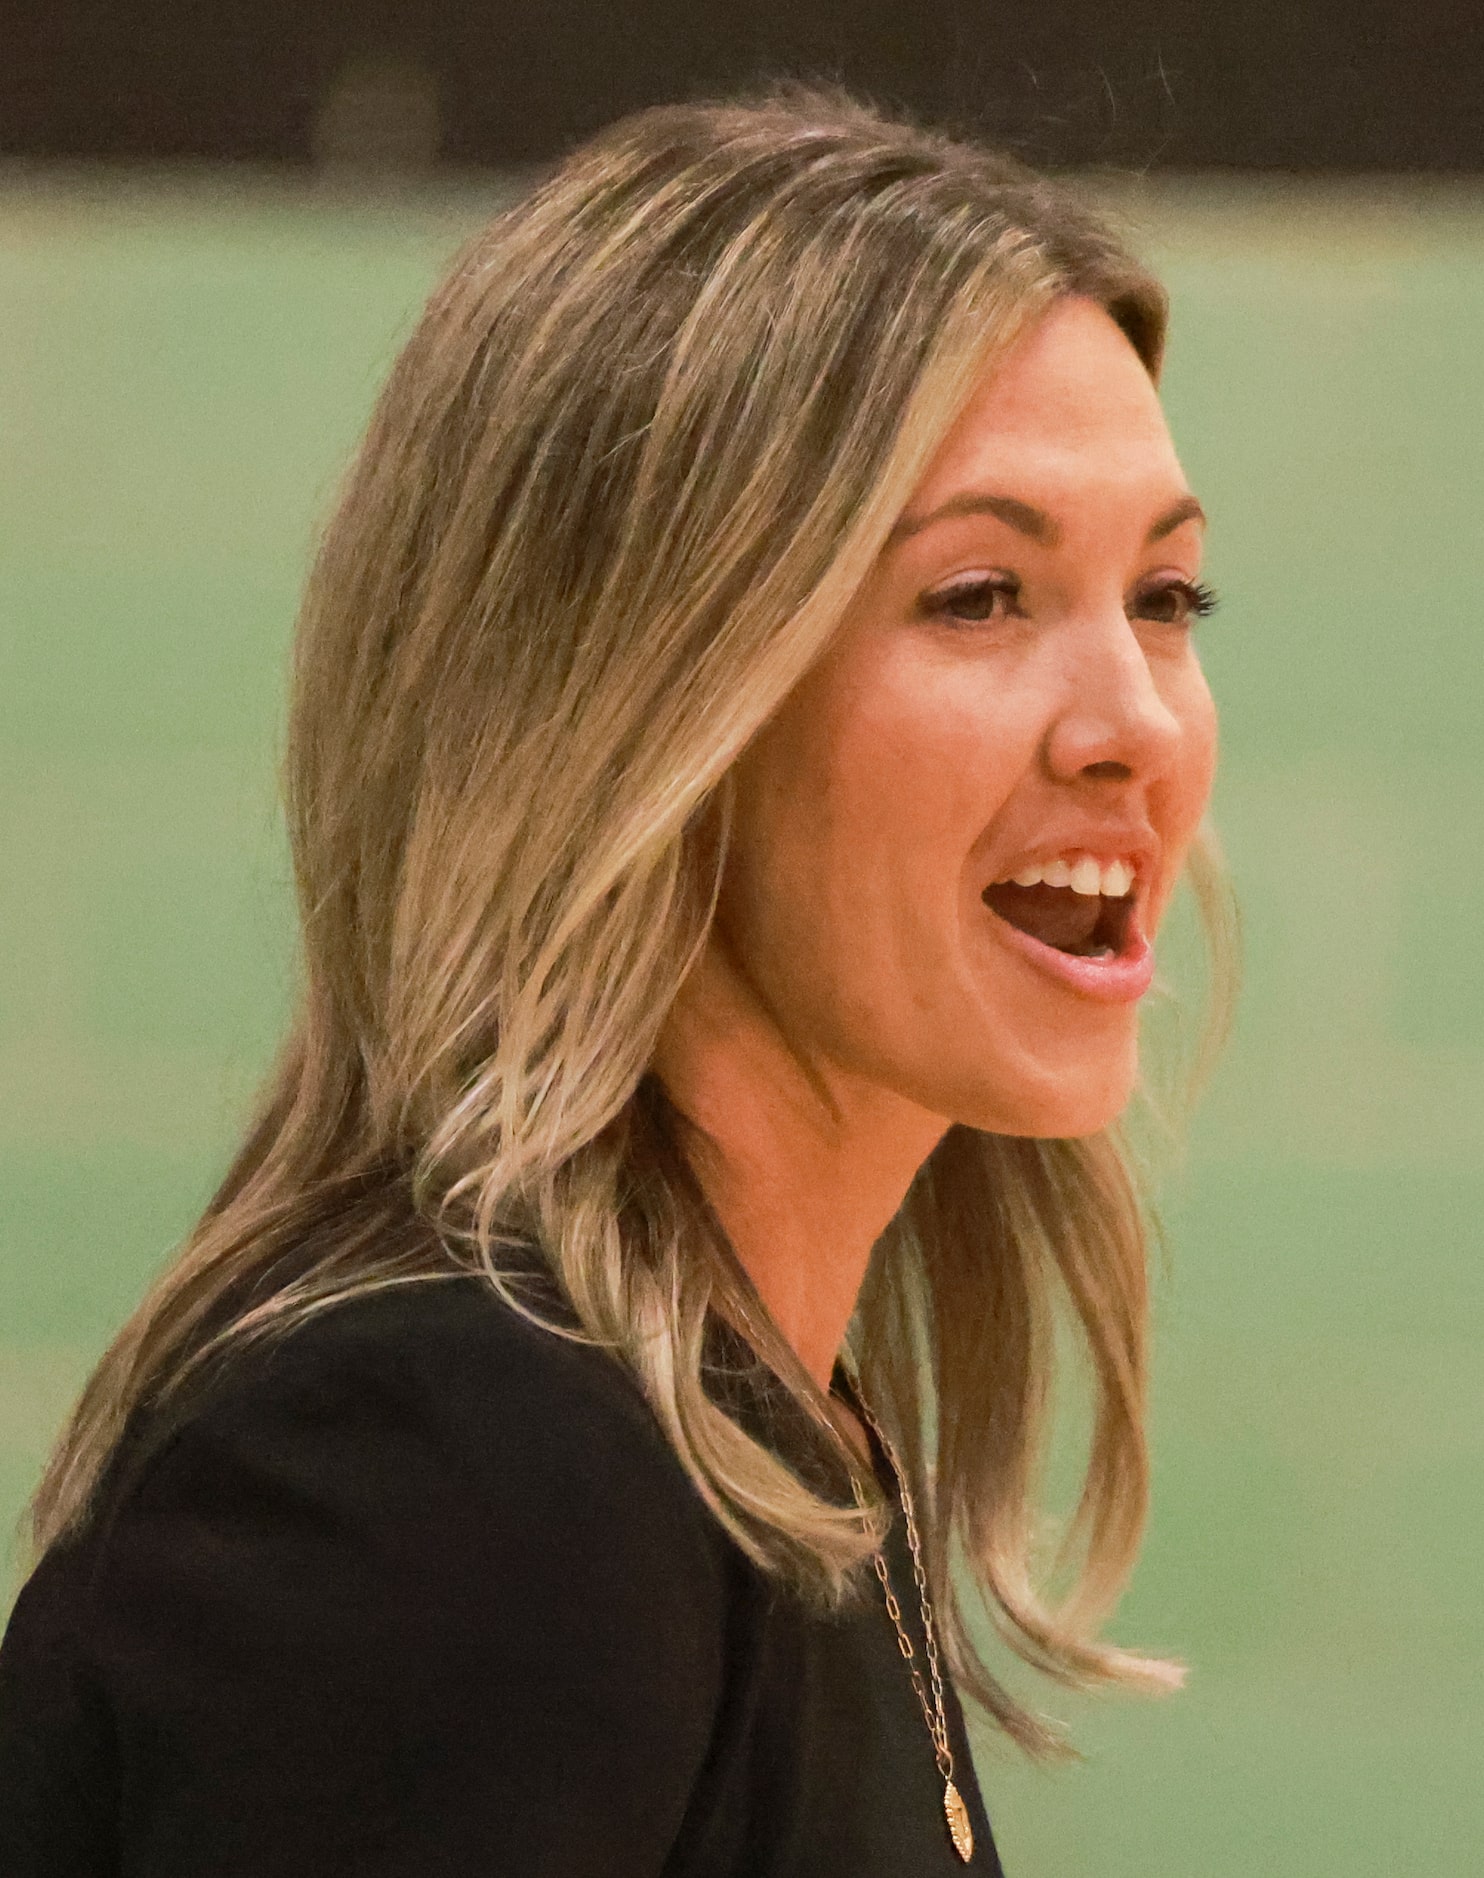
959, 835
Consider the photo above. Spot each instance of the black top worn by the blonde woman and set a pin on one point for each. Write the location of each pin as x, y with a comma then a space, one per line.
422, 1592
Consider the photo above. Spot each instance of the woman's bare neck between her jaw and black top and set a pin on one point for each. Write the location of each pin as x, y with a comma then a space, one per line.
805, 1165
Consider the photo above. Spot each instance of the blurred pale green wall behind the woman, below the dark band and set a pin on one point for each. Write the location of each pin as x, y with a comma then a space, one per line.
181, 378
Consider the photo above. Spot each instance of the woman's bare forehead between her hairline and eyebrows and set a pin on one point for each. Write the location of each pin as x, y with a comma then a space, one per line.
1072, 403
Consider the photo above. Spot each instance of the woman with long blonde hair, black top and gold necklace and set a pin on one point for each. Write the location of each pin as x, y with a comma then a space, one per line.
747, 733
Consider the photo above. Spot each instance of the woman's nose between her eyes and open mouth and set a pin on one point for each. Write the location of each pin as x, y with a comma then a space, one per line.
1115, 724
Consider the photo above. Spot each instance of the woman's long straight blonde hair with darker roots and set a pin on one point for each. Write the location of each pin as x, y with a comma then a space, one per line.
625, 480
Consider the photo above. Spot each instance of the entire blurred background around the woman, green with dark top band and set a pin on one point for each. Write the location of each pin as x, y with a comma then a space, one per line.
215, 228
